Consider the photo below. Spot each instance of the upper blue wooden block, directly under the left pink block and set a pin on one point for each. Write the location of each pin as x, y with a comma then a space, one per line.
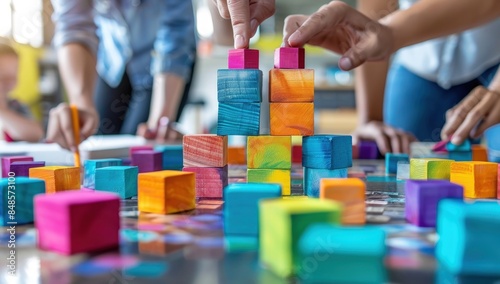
239, 86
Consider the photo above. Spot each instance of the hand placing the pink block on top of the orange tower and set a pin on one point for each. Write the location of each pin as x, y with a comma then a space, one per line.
341, 29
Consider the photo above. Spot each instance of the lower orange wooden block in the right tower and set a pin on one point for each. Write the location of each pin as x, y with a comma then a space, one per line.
292, 119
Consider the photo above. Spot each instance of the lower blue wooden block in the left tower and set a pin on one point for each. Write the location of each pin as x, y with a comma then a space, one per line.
239, 119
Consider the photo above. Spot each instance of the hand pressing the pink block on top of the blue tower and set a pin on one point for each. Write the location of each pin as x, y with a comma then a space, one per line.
246, 16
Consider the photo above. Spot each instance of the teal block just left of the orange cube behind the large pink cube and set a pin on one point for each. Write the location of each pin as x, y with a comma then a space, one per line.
118, 179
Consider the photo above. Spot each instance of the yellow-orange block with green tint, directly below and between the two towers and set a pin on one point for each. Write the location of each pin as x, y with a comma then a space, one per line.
269, 152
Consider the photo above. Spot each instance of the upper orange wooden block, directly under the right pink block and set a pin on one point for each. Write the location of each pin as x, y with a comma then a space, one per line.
291, 86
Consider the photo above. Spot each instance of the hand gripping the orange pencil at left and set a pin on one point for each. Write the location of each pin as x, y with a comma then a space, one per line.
60, 128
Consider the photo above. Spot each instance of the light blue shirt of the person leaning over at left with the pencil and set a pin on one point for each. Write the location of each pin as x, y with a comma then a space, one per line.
141, 37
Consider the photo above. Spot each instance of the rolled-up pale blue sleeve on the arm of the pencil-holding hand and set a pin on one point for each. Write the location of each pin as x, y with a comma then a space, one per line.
74, 23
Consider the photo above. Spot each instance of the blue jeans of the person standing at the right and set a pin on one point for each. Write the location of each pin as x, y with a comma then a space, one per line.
419, 106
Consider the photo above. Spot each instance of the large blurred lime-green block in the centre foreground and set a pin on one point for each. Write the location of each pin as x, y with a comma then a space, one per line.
282, 224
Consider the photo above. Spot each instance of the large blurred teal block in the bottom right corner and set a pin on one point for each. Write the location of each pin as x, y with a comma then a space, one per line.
468, 236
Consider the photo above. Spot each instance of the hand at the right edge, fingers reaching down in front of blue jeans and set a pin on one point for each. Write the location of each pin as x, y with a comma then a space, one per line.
472, 116
